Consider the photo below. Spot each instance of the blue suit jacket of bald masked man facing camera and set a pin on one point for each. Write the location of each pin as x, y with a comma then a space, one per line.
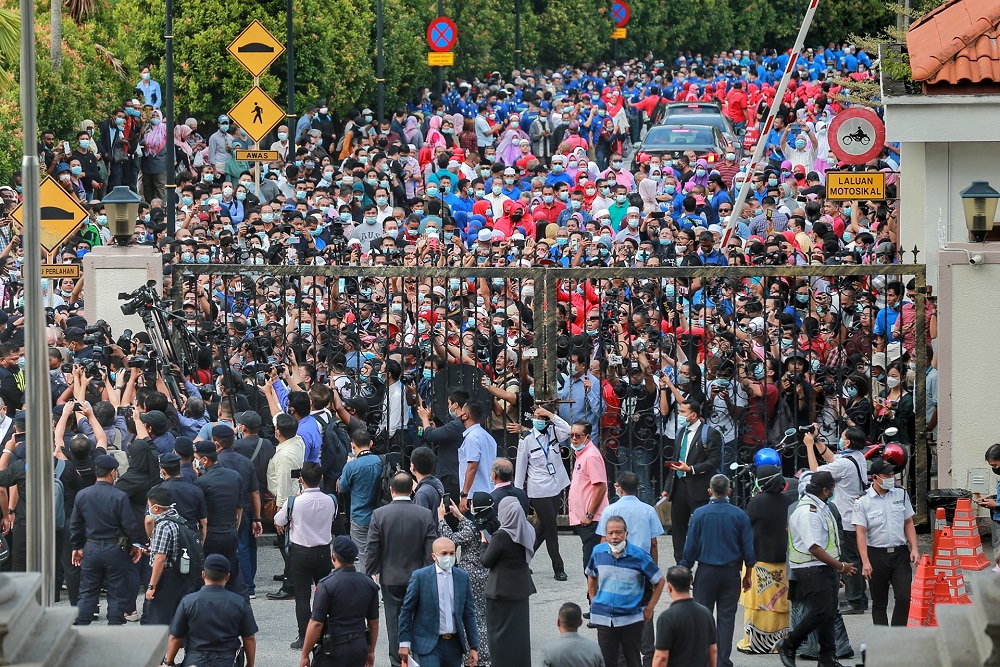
418, 617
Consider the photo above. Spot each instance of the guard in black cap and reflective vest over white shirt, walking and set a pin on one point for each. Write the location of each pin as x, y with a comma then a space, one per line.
813, 553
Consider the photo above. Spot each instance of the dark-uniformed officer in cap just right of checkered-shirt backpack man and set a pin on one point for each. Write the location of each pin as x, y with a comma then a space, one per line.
224, 491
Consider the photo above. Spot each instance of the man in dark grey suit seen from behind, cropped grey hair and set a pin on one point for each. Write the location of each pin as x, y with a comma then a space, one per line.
399, 542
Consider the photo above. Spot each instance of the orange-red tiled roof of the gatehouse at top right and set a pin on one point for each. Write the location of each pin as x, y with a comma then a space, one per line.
956, 42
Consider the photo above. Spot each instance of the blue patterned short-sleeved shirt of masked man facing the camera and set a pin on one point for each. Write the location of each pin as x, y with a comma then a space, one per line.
620, 584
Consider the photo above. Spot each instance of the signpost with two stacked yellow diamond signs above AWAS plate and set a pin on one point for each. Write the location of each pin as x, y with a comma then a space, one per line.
255, 48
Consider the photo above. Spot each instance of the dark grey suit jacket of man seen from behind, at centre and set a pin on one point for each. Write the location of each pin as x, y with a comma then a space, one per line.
399, 542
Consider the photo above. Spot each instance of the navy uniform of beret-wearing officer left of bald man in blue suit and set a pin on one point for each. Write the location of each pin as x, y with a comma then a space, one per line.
346, 601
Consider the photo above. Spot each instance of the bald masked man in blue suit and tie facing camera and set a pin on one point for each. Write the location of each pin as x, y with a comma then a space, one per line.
438, 618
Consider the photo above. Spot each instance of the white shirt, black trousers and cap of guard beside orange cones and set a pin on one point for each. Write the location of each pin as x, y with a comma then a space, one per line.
883, 516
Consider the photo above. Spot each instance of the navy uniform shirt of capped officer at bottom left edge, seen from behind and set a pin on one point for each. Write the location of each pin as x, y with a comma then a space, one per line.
211, 623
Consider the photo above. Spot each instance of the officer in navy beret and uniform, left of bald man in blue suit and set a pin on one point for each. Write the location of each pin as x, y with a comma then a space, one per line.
344, 624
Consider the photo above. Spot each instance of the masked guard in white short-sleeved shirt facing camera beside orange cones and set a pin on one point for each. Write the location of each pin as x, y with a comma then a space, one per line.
887, 542
